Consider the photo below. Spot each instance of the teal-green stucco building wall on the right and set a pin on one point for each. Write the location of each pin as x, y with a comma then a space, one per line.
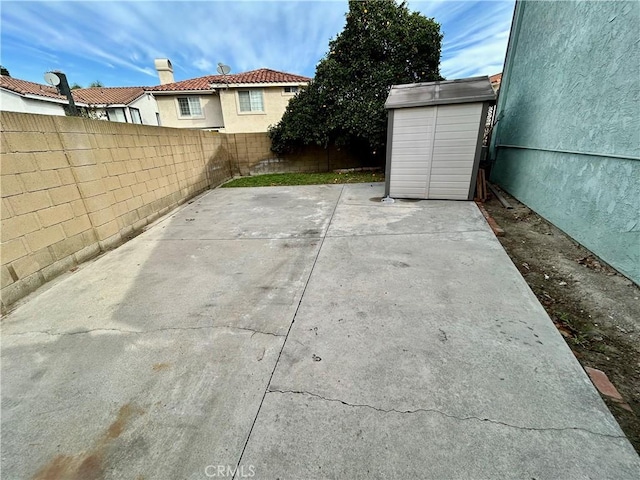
567, 141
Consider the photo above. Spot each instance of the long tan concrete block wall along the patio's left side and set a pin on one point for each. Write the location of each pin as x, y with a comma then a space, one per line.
73, 187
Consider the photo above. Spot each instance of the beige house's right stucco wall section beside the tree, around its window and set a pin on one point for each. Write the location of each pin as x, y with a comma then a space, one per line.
275, 103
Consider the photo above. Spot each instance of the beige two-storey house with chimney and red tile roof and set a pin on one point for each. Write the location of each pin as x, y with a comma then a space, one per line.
236, 103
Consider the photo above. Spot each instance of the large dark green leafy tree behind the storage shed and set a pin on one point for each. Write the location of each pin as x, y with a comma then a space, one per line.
382, 44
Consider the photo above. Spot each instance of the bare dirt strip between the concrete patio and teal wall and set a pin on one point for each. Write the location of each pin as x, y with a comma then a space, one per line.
596, 309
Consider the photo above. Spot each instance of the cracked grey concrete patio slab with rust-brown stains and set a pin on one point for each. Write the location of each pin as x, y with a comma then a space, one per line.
300, 332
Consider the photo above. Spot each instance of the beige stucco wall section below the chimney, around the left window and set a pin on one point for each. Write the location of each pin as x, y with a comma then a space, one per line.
210, 104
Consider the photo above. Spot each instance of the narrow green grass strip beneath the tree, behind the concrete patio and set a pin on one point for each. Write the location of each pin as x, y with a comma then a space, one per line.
282, 179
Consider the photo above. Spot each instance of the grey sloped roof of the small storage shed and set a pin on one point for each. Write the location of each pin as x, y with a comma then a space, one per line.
465, 90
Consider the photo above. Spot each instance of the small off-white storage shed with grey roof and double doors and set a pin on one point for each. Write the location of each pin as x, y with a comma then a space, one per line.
434, 138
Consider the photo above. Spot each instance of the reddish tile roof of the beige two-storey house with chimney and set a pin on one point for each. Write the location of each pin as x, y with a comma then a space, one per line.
262, 75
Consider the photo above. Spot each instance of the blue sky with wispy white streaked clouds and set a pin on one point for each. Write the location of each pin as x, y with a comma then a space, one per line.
116, 42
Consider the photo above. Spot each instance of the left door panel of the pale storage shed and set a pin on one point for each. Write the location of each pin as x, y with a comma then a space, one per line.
411, 149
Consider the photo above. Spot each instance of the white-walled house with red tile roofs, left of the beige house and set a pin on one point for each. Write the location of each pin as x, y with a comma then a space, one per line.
117, 104
